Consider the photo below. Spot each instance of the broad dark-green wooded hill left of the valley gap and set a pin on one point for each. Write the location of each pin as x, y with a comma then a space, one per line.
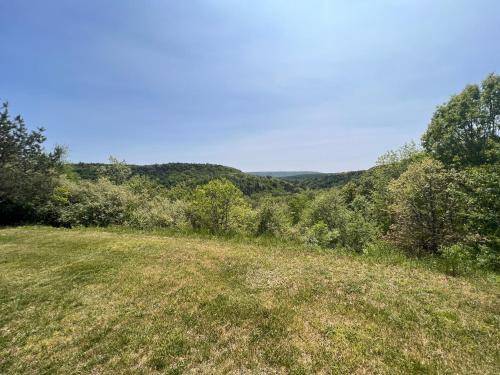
191, 175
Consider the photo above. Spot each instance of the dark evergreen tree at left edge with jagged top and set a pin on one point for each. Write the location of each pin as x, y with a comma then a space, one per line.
28, 174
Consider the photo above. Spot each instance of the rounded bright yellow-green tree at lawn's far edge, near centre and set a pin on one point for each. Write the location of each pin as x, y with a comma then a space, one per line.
215, 204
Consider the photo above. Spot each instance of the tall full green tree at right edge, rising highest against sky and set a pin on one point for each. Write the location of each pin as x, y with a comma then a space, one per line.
465, 130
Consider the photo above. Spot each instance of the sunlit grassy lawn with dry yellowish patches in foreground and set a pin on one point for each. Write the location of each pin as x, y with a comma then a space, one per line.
89, 301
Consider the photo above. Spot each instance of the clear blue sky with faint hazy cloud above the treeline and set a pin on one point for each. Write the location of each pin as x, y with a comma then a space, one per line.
257, 85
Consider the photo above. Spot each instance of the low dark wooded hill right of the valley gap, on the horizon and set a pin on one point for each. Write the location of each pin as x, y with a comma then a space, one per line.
323, 180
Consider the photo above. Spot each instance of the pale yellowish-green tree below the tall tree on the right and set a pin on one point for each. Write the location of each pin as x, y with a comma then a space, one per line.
424, 207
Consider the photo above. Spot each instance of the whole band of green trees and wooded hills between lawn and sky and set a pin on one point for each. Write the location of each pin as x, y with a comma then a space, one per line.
439, 198
